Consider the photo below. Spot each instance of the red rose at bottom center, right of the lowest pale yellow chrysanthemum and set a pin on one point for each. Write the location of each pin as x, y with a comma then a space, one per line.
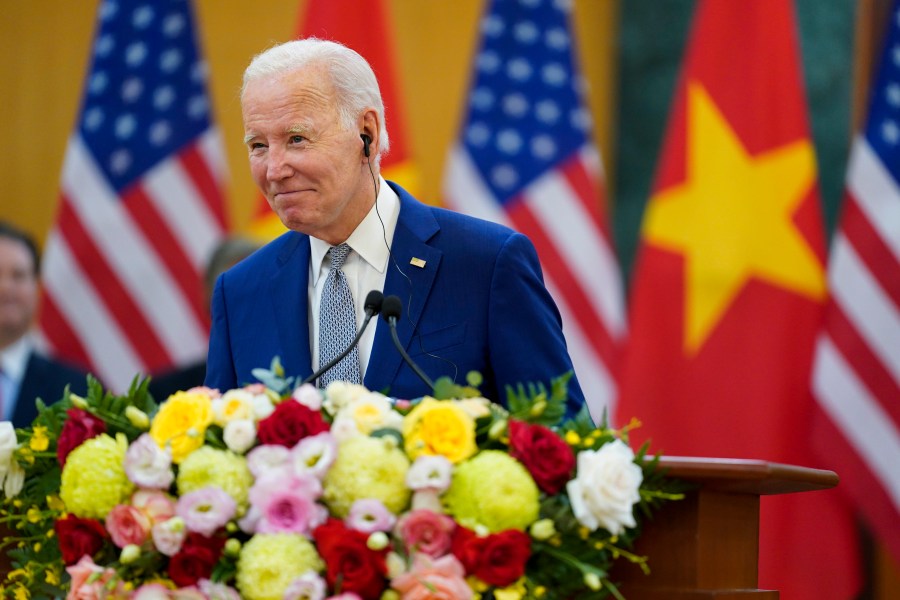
350, 561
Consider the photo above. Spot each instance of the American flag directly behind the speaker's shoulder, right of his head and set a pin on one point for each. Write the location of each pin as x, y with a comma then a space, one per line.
525, 159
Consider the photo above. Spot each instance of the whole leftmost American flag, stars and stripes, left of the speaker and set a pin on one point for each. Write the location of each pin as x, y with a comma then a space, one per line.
141, 203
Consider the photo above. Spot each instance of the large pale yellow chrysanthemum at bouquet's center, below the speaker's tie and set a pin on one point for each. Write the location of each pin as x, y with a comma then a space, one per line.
367, 468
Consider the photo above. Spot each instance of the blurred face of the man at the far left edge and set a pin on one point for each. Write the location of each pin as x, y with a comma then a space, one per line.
18, 290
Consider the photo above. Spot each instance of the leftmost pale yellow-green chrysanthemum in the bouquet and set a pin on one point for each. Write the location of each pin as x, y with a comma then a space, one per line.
93, 481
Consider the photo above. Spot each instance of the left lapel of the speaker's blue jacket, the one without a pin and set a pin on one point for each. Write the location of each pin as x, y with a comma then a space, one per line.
290, 306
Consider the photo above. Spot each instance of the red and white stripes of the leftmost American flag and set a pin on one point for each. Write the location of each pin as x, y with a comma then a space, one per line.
122, 274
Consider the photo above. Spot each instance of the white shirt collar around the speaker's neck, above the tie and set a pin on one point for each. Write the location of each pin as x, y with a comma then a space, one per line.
370, 239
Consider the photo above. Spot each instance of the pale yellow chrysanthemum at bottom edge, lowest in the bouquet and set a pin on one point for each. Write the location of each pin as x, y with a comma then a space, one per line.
269, 563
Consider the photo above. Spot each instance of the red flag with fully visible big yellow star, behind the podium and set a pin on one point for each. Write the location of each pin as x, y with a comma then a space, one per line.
729, 286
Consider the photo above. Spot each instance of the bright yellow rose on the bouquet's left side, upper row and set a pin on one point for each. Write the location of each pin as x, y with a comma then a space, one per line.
181, 423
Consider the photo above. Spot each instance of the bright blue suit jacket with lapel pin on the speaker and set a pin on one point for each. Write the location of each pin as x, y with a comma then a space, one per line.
479, 303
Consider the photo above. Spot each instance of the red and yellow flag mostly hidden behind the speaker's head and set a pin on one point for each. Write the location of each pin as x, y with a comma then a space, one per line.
362, 25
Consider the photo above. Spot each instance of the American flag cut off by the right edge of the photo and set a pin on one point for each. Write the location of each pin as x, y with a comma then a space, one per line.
856, 377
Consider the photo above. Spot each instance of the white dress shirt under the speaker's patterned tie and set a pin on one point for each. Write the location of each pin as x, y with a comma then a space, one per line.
365, 268
